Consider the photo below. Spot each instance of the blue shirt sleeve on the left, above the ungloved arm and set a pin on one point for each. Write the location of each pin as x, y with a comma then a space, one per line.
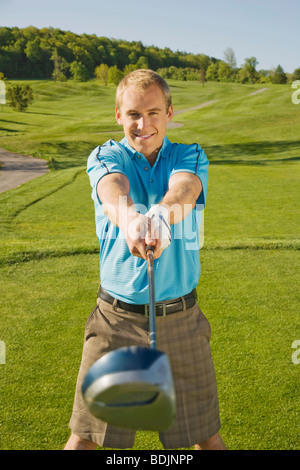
102, 161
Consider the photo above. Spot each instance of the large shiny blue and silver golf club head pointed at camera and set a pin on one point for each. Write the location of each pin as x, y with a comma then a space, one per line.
131, 388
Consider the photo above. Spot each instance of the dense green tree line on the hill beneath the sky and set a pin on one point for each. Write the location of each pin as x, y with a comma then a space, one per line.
50, 53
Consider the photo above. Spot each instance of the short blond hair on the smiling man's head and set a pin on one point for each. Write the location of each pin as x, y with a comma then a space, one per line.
143, 79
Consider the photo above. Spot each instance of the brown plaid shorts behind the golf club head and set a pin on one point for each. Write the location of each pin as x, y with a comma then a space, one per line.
185, 338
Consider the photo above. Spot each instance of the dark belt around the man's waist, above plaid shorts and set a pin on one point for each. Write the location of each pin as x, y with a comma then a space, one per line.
162, 308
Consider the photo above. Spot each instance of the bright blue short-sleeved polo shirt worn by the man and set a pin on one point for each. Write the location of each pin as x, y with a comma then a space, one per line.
177, 271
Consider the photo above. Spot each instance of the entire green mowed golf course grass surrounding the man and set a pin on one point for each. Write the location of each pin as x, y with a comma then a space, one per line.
249, 287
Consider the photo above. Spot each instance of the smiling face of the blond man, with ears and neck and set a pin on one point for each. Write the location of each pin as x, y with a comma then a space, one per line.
144, 118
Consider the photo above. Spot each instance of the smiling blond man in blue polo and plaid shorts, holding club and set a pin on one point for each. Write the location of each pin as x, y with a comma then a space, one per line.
147, 191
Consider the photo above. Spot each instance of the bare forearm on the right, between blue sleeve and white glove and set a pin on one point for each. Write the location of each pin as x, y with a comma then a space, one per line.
181, 198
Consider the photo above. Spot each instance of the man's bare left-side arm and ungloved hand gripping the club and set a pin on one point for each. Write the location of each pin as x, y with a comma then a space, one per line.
113, 192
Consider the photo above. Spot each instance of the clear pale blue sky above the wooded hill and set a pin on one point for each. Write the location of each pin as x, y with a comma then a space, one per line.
266, 29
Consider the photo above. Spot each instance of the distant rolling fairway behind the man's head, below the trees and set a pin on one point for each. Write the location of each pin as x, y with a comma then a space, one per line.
67, 120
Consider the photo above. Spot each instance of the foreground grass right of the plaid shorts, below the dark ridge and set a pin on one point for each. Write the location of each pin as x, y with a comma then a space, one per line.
254, 313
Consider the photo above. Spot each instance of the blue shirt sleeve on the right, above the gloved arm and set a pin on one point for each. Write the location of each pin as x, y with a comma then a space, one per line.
192, 159
